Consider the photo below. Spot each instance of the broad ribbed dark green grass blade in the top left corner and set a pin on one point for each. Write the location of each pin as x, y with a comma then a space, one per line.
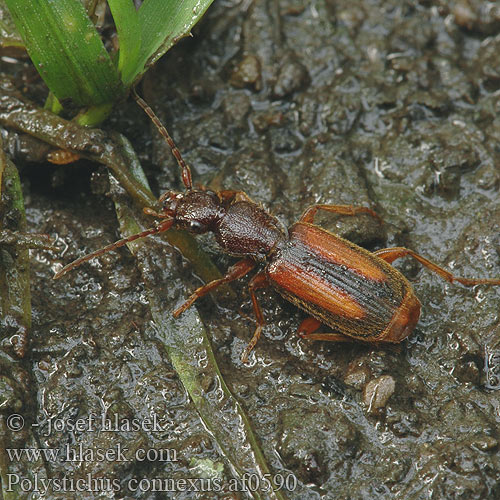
66, 50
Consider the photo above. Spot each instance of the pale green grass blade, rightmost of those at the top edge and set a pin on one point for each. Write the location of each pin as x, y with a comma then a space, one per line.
163, 23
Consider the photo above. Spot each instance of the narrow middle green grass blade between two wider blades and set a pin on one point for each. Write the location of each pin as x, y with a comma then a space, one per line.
129, 33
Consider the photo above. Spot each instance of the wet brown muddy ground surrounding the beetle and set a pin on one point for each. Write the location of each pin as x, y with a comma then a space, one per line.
388, 104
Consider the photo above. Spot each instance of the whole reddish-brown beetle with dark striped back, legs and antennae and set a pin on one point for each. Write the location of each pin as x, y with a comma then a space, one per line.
355, 292
